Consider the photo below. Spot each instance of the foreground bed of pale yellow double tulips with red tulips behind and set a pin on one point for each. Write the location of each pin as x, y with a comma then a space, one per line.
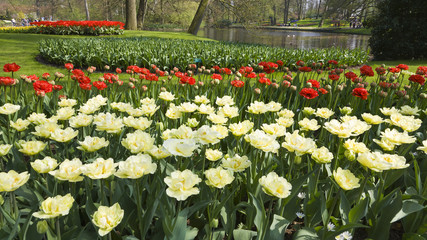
309, 151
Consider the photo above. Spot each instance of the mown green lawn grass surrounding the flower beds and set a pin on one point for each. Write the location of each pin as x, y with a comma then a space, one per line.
23, 49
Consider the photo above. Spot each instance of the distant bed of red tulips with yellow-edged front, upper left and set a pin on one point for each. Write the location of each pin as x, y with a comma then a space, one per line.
79, 27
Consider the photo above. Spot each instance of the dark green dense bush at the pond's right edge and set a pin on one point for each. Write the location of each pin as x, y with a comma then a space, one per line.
398, 30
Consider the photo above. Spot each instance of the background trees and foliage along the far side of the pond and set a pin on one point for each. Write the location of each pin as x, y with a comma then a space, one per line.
180, 13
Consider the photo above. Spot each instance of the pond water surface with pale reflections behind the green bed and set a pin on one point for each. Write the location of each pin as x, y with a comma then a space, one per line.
287, 38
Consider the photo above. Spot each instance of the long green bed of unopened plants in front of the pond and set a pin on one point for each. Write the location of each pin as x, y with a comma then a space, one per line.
170, 53
